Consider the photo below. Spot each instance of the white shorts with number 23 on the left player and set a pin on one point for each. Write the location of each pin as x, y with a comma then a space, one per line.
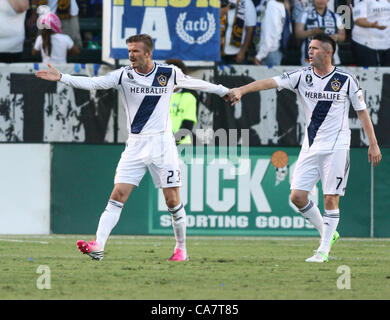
157, 153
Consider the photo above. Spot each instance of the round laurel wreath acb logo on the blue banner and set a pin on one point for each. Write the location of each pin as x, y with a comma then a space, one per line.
182, 26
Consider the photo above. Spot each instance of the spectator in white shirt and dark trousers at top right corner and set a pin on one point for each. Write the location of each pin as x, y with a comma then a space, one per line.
371, 33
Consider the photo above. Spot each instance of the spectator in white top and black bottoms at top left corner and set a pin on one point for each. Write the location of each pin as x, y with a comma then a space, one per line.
12, 15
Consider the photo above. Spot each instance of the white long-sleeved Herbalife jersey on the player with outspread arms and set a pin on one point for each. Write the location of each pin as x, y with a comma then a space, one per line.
146, 97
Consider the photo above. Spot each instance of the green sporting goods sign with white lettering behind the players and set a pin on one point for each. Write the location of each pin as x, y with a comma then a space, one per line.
235, 194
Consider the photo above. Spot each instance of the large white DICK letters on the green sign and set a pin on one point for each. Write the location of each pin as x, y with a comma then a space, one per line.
220, 198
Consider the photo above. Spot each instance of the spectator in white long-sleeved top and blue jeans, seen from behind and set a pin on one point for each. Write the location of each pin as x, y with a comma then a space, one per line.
270, 46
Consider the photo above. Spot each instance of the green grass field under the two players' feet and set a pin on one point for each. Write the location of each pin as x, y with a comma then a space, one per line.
219, 268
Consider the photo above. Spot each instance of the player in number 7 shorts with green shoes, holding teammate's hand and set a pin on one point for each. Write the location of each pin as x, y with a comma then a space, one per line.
326, 93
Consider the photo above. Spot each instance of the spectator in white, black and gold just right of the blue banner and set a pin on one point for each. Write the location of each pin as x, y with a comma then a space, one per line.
238, 19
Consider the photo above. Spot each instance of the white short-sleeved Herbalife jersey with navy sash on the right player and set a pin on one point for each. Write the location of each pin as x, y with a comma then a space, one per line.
326, 101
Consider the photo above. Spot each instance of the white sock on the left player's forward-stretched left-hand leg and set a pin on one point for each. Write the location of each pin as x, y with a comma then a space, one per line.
107, 222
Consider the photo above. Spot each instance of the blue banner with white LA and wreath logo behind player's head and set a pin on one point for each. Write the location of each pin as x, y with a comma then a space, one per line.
184, 29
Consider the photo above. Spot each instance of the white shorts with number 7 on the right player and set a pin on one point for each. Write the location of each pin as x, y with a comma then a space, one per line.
332, 167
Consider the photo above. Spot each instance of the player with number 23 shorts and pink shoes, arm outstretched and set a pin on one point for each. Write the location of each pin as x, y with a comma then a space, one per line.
146, 88
